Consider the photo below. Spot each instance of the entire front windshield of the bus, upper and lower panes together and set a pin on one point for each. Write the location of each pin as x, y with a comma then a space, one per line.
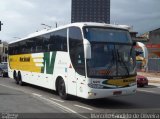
110, 57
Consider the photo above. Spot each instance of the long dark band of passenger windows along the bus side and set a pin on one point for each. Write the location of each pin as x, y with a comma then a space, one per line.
55, 41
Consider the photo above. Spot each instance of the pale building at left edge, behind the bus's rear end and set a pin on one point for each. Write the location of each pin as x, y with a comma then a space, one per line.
3, 51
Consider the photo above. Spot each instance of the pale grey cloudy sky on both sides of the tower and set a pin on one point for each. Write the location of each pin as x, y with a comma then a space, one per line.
22, 17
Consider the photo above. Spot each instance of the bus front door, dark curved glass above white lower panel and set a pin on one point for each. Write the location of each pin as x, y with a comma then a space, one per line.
76, 69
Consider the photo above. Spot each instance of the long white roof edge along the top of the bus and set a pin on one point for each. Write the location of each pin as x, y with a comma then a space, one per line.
79, 24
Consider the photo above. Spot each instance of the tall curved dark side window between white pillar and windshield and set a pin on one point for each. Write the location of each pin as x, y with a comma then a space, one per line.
76, 50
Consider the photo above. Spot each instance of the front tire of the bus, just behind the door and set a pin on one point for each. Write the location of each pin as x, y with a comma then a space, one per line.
62, 89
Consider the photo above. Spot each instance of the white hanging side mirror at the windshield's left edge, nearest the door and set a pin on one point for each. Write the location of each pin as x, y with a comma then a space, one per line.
87, 49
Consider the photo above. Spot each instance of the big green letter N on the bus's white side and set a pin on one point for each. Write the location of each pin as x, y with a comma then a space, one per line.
49, 61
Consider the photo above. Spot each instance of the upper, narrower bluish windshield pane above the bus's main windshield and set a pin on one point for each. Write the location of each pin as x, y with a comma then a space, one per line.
107, 35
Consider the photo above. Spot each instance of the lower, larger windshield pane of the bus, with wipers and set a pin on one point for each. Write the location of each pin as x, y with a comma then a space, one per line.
108, 60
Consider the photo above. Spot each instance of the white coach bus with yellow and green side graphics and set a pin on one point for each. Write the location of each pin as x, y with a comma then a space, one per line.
87, 60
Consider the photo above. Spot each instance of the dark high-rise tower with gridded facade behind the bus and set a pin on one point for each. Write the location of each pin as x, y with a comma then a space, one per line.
90, 11
